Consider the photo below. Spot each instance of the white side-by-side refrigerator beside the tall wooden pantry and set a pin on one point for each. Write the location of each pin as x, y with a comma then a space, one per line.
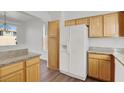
73, 51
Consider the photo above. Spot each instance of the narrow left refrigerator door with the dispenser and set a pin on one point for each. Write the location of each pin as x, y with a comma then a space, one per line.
64, 50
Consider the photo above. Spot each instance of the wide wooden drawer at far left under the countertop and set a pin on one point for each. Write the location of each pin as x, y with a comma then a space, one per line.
11, 68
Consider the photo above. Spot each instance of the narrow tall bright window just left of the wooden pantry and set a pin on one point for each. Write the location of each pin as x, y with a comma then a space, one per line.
45, 40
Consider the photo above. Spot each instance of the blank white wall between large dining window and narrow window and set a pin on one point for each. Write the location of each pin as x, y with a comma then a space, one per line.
34, 35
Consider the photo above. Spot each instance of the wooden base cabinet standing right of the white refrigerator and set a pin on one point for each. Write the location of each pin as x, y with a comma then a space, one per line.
101, 66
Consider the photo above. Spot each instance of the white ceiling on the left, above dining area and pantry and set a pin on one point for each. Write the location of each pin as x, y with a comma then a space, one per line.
24, 16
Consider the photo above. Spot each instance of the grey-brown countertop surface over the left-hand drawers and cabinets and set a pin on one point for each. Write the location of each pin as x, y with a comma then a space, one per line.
7, 61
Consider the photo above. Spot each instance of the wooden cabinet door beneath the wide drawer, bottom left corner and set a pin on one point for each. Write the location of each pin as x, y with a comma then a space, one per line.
15, 77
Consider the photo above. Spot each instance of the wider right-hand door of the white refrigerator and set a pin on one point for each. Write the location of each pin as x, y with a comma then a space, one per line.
78, 50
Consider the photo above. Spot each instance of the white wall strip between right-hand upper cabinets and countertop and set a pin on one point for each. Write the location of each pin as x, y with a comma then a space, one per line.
107, 42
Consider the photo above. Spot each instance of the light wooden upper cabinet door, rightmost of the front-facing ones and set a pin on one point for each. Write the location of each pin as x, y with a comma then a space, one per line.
111, 25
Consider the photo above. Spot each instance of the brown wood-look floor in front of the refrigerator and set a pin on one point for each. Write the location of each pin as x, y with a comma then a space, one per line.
48, 75
